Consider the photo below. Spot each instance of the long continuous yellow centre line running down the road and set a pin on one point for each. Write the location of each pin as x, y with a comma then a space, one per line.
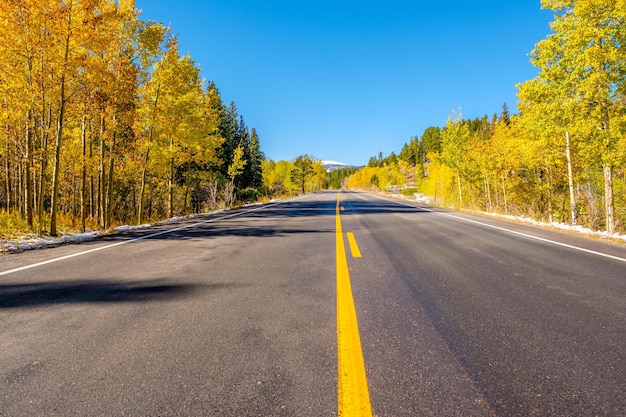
353, 395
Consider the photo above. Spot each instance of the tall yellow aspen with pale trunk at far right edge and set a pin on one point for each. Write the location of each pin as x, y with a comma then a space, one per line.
586, 50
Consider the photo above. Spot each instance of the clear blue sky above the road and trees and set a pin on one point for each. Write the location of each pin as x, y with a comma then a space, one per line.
343, 79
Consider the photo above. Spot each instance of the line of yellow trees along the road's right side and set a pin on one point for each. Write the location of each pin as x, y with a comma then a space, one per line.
562, 158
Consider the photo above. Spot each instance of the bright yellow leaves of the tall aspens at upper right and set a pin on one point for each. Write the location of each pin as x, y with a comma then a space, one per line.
582, 76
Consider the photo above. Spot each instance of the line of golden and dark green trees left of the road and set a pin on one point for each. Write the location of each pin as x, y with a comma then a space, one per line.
104, 121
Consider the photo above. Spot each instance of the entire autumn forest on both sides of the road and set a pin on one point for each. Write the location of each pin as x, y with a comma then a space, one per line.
104, 122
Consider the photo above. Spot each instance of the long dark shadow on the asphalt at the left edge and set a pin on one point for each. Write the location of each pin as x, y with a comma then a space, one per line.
56, 292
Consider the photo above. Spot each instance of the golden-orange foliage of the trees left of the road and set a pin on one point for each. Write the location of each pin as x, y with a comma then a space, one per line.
93, 60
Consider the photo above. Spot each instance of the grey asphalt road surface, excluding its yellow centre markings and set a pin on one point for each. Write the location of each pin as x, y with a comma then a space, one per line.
235, 315
